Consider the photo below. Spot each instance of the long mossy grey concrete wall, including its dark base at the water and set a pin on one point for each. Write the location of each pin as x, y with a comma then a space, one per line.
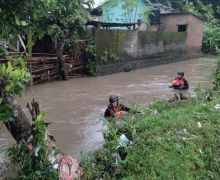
137, 49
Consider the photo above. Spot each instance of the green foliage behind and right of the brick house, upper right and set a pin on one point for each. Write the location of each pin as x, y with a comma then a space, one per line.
207, 9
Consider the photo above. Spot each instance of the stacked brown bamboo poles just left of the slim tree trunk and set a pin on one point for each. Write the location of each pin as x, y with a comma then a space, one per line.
43, 68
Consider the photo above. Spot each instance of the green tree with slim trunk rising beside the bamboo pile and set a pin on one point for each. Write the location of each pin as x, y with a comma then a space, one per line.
63, 21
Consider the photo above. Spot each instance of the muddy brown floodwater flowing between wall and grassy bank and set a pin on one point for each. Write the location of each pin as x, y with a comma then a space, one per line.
76, 107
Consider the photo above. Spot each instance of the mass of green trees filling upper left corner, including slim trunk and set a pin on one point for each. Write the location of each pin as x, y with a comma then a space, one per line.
63, 20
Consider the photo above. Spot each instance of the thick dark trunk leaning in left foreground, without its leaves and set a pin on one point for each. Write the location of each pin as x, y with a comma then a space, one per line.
20, 126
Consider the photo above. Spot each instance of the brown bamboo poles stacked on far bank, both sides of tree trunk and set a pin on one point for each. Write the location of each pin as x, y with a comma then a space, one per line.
45, 67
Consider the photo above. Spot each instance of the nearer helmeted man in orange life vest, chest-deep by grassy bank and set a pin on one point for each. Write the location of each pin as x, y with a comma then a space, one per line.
115, 109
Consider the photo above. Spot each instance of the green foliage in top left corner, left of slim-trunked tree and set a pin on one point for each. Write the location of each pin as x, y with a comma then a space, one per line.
20, 17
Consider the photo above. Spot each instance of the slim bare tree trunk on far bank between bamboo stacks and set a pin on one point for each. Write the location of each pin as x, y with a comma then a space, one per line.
63, 68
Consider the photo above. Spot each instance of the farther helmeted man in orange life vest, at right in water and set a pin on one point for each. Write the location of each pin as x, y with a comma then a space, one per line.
180, 82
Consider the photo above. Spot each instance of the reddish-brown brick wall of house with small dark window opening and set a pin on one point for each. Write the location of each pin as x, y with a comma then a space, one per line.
195, 26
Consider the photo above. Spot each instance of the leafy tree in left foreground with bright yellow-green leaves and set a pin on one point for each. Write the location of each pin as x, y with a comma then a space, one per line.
14, 78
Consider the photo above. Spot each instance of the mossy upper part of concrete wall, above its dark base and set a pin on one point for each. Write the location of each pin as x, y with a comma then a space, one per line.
130, 45
